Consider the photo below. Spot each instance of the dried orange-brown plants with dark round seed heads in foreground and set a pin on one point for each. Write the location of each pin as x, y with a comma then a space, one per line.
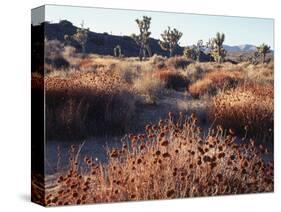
172, 159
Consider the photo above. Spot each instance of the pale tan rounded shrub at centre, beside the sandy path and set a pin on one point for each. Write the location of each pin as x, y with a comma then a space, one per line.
149, 87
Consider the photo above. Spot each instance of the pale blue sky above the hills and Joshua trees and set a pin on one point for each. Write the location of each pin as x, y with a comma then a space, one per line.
238, 30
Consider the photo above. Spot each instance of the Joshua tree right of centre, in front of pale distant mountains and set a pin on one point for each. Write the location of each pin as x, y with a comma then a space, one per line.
216, 47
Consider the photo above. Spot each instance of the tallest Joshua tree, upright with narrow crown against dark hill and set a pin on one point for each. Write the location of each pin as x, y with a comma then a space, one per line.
142, 39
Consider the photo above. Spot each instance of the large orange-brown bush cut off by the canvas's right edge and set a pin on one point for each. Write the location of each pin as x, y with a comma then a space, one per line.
247, 110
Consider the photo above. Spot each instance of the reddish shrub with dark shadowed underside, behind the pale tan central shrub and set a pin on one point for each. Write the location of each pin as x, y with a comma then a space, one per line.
173, 79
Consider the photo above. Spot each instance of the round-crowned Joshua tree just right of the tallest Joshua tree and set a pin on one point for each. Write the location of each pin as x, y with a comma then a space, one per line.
170, 40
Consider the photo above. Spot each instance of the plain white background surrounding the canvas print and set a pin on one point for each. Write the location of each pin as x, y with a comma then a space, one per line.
15, 104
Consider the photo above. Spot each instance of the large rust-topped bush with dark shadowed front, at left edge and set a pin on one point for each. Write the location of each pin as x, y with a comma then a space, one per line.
84, 103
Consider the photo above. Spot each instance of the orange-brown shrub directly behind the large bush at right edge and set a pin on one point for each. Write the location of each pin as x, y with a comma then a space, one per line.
215, 81
